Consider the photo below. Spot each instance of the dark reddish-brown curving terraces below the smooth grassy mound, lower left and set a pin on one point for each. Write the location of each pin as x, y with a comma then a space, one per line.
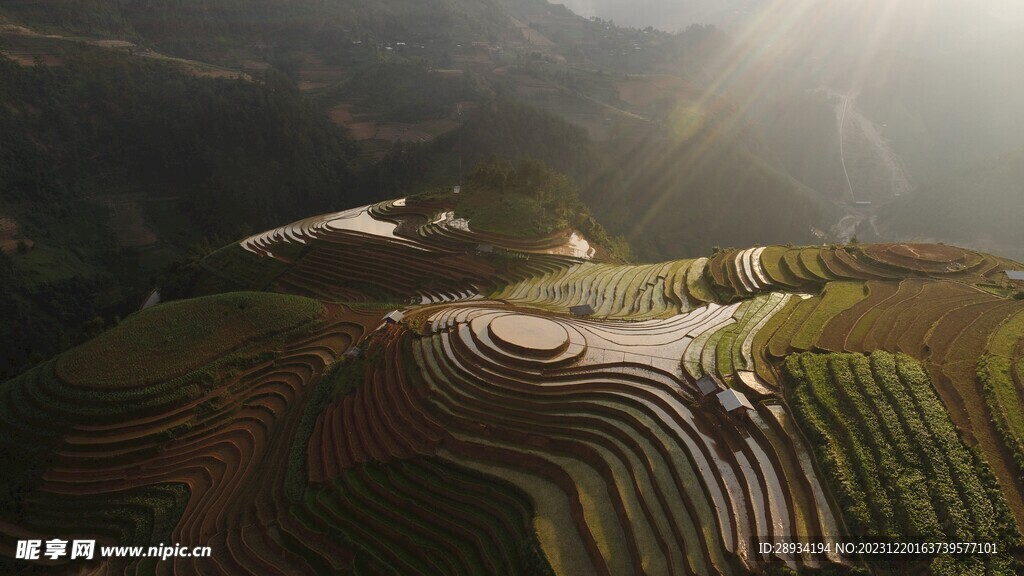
176, 461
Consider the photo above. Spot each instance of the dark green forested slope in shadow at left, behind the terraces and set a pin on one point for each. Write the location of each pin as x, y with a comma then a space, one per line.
206, 161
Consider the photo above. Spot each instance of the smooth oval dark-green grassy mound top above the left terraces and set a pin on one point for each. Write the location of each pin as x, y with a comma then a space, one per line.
174, 339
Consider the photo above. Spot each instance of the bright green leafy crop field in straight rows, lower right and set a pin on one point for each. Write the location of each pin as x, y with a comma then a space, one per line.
891, 454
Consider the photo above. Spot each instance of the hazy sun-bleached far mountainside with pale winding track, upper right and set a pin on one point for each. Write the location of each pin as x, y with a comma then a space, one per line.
911, 107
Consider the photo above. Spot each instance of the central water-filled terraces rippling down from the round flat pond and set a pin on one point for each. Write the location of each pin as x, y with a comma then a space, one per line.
615, 419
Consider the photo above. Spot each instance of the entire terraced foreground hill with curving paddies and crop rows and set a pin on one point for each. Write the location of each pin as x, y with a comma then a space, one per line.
490, 431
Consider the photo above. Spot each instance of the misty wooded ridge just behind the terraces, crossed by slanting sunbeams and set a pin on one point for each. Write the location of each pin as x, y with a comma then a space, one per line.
662, 187
